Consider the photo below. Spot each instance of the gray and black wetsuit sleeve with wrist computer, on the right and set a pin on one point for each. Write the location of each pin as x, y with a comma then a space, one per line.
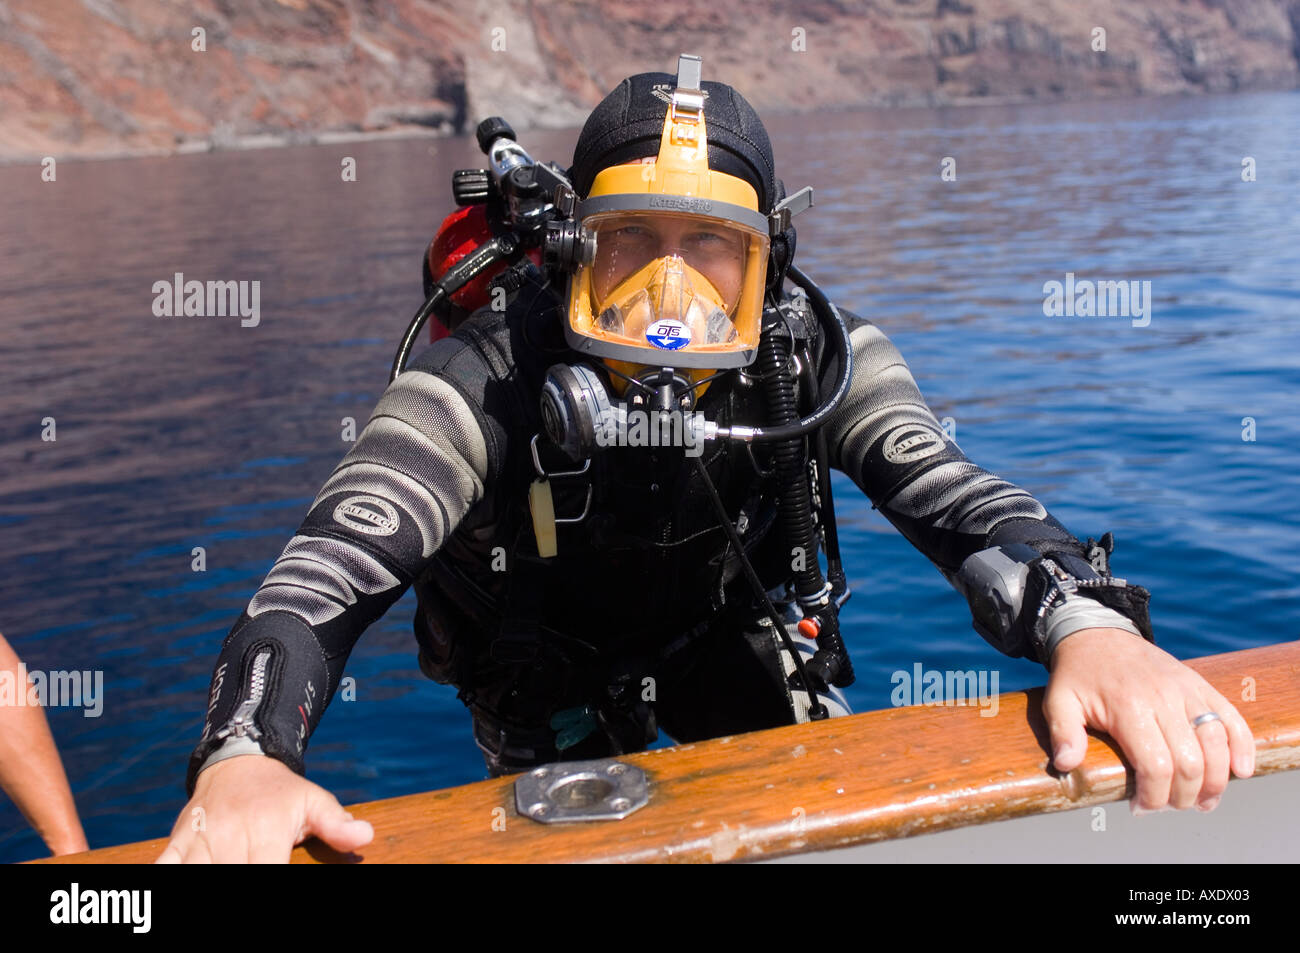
1029, 582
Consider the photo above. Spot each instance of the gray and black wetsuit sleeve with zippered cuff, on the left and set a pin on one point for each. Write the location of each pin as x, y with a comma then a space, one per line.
424, 458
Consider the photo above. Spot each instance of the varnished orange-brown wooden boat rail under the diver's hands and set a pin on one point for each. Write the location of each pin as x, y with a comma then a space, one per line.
812, 787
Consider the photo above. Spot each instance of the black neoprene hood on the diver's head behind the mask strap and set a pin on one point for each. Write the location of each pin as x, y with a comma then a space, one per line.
629, 125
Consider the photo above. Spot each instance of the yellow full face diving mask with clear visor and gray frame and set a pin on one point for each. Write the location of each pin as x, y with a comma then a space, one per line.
681, 259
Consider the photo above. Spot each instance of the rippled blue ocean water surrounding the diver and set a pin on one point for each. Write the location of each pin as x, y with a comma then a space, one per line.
1181, 435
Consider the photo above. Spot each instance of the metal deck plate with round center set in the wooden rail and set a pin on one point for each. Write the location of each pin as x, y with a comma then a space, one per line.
604, 790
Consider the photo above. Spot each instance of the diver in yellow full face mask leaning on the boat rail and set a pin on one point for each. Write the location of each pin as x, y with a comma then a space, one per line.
584, 597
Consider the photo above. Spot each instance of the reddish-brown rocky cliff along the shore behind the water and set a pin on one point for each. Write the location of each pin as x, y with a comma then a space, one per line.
103, 77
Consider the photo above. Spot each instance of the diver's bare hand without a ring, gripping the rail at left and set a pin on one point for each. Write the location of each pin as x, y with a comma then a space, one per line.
253, 809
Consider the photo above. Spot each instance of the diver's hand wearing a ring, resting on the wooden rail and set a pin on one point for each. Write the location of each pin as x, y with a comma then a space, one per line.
1146, 700
